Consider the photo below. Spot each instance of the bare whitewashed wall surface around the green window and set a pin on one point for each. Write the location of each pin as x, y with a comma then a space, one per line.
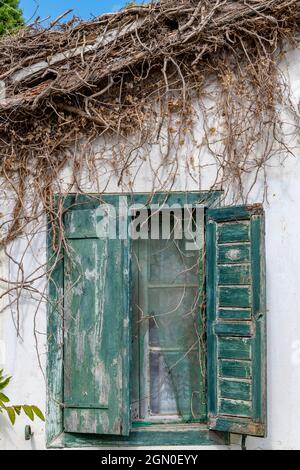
283, 281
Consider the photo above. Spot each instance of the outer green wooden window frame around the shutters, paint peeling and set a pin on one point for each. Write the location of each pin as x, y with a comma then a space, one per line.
142, 434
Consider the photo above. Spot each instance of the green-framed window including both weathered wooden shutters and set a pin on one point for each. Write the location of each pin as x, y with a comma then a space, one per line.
159, 331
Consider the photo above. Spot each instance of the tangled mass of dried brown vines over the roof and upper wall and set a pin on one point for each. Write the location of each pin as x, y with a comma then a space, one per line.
140, 69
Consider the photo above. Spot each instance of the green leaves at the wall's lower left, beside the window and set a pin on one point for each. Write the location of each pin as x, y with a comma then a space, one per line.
13, 411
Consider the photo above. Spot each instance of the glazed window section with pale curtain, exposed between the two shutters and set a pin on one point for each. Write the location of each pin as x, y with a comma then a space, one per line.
168, 374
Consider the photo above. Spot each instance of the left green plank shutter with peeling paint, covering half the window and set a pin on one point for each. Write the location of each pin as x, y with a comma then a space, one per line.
96, 328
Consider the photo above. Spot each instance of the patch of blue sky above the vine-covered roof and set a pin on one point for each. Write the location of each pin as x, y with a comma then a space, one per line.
83, 8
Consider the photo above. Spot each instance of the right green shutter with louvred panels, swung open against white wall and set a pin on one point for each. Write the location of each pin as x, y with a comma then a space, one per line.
236, 323
